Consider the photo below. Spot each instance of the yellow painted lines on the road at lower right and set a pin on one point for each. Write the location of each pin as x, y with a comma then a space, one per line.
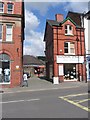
76, 103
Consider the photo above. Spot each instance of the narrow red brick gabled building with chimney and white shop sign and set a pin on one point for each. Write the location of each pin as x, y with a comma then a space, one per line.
65, 48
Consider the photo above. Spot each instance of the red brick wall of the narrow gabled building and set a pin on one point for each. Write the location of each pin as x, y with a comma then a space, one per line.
59, 38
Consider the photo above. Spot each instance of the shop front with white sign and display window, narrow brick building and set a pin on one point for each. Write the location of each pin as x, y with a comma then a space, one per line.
70, 67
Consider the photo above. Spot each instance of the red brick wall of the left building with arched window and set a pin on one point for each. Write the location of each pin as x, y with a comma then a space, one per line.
14, 48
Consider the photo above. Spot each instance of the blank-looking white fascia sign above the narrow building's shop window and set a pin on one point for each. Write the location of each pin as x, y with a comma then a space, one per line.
70, 59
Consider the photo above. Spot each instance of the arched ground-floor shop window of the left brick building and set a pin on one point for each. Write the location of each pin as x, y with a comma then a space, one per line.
4, 68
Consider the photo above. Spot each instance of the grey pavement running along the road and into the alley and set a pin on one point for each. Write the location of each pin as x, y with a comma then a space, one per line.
40, 84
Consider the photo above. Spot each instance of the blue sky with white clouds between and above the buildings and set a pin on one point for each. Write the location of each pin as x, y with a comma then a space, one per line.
36, 14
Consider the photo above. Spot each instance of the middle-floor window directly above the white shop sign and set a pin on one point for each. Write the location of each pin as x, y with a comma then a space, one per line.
69, 48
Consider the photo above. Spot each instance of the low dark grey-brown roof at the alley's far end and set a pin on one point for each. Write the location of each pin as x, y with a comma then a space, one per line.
31, 60
